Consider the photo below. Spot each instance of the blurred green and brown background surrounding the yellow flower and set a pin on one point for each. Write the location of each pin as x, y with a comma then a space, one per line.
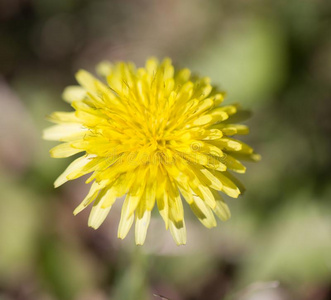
274, 57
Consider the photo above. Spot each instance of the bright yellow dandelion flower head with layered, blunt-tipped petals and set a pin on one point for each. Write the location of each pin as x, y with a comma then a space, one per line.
151, 134
